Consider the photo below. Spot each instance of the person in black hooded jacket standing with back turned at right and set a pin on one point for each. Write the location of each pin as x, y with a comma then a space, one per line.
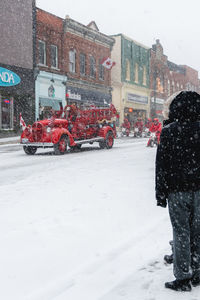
178, 184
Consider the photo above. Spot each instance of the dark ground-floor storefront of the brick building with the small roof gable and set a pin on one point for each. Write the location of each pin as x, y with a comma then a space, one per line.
82, 96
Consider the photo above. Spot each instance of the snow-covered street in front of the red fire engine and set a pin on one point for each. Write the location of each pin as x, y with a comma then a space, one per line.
83, 226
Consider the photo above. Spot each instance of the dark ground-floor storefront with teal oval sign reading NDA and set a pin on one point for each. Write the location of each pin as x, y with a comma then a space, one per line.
16, 96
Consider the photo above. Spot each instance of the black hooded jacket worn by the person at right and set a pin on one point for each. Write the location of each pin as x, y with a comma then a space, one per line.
178, 154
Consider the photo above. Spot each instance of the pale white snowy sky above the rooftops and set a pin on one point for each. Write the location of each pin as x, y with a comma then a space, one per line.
174, 22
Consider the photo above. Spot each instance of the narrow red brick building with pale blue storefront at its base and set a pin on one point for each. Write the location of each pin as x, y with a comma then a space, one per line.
51, 80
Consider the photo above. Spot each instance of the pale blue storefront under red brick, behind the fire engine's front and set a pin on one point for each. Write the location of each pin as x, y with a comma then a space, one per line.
50, 93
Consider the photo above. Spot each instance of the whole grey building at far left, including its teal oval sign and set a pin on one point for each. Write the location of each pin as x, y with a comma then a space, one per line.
16, 64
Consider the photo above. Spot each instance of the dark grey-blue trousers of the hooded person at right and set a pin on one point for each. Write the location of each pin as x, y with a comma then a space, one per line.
184, 211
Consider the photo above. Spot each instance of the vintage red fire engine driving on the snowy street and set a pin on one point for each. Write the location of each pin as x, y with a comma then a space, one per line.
71, 127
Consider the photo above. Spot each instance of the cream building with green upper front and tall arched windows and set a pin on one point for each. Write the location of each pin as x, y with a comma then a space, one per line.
130, 79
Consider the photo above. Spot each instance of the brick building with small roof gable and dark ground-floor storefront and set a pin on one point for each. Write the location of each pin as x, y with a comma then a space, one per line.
84, 48
